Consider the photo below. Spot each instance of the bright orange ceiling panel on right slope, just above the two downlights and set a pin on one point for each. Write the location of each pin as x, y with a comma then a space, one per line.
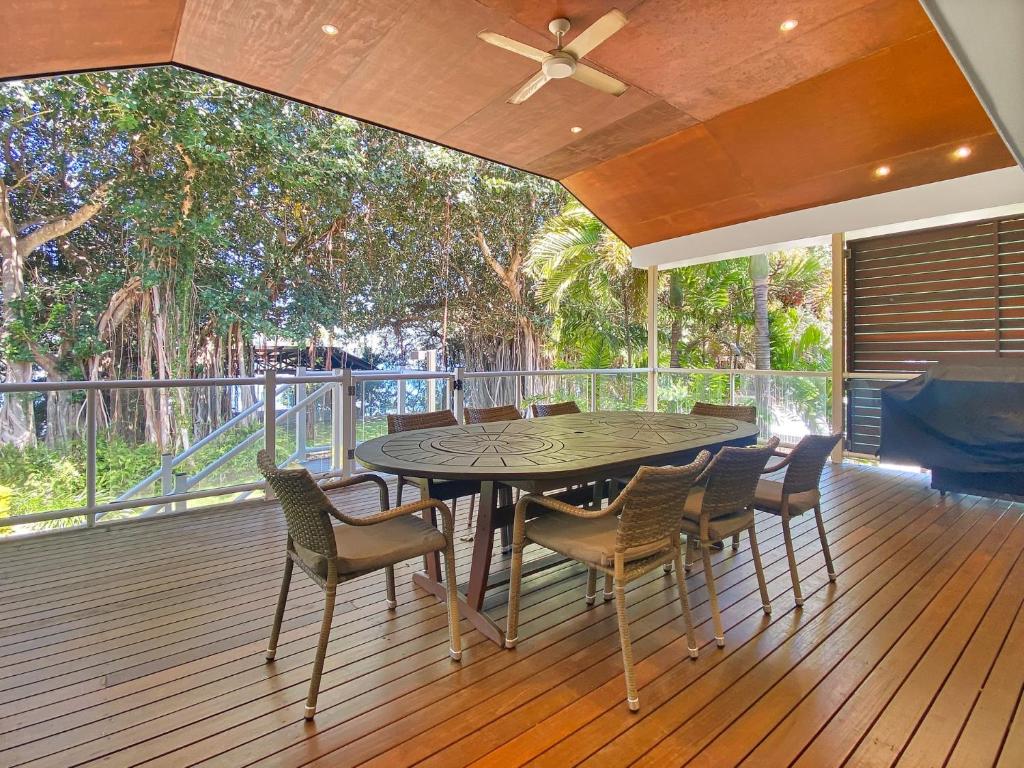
904, 99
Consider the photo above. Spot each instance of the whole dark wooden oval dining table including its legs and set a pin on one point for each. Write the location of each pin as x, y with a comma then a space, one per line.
574, 455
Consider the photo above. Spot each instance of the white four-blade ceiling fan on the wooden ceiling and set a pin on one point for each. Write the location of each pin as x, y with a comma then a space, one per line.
565, 62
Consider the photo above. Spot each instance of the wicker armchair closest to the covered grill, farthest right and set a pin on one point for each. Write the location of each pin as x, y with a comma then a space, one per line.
797, 494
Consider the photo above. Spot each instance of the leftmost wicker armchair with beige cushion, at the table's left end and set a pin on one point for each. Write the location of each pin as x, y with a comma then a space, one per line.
332, 554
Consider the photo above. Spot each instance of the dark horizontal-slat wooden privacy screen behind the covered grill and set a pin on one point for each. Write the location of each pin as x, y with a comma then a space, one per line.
917, 298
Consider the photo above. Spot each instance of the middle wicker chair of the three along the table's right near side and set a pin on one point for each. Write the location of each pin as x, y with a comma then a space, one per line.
720, 505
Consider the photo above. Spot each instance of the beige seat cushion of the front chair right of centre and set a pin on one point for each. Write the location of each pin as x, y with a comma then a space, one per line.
590, 541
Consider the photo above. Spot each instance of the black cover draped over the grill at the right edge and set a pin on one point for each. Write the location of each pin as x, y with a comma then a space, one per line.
964, 421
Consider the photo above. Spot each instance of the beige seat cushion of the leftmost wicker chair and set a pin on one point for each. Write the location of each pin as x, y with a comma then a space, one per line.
363, 548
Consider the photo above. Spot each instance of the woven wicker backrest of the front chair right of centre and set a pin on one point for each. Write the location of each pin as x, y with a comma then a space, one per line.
652, 502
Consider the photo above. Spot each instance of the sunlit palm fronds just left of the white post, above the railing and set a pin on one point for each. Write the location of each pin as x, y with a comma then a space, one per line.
586, 279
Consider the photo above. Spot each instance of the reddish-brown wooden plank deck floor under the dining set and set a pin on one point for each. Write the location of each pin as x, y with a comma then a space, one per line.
143, 645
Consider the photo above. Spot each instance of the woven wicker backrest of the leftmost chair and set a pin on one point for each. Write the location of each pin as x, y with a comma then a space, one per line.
306, 506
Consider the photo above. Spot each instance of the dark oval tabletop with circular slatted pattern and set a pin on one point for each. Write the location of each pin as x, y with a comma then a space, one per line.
550, 448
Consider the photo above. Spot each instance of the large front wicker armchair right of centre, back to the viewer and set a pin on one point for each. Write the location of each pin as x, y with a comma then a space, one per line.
636, 534
